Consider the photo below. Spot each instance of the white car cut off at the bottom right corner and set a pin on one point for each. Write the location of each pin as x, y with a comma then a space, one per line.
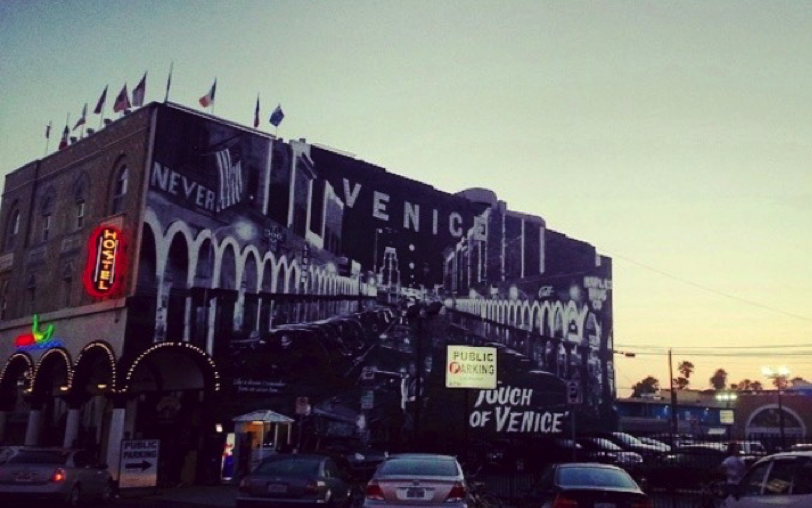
783, 479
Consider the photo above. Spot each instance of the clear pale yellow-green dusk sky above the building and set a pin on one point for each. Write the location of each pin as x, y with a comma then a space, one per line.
676, 137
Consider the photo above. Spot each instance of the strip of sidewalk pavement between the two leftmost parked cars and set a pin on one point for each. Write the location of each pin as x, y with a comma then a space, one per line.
202, 496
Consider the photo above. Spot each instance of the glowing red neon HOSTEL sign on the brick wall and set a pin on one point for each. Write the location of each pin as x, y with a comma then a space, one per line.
104, 261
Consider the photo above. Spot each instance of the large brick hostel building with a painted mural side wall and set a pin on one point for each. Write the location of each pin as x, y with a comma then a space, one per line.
145, 267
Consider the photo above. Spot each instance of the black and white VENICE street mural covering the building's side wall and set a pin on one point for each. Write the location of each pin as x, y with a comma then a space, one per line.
304, 272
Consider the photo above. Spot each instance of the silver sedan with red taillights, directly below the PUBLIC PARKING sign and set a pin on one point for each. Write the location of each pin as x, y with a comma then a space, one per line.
417, 480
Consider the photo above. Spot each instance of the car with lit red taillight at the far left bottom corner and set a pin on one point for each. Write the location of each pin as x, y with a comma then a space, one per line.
41, 475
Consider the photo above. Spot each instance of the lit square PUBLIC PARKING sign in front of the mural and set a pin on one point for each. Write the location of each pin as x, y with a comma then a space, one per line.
471, 367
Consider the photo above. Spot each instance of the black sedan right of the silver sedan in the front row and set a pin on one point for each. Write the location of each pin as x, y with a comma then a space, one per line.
587, 484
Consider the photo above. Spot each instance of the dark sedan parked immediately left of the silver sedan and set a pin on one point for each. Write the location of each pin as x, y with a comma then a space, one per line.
295, 480
